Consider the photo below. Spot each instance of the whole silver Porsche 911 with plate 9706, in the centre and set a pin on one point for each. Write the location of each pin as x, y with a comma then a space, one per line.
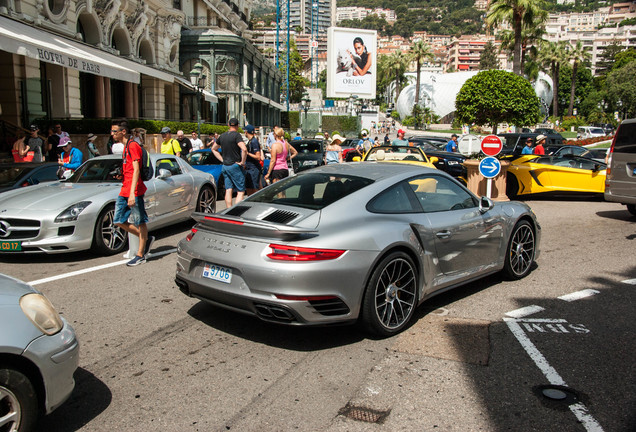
348, 242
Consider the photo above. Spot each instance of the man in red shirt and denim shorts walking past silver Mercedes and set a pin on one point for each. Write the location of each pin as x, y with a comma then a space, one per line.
130, 202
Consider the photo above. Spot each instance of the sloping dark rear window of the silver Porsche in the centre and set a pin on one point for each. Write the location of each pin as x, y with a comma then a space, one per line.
311, 190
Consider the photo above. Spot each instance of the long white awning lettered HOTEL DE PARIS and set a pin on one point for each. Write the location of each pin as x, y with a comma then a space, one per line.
22, 39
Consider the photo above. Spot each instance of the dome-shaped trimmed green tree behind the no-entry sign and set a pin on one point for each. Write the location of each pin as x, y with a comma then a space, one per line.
496, 96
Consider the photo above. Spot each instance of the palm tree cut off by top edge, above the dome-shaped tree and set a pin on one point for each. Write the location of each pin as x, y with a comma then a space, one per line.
520, 14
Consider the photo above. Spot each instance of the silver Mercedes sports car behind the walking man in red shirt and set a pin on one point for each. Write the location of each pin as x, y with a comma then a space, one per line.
77, 214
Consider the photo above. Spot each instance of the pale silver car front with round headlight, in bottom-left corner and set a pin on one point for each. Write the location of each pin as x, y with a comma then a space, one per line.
39, 354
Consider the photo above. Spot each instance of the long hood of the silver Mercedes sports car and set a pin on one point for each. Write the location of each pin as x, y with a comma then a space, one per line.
52, 196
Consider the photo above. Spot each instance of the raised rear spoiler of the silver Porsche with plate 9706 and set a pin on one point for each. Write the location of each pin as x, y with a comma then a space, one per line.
237, 225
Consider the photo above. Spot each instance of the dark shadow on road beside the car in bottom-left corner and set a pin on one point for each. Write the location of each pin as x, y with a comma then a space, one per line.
89, 399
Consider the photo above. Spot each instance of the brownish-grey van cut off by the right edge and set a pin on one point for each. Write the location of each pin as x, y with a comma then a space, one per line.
620, 183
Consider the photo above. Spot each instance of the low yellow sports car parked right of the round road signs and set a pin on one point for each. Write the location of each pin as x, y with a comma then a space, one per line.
533, 174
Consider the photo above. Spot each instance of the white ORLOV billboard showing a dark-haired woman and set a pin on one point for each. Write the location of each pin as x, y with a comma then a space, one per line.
351, 62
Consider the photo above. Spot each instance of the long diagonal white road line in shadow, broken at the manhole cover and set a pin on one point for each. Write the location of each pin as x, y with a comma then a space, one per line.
579, 410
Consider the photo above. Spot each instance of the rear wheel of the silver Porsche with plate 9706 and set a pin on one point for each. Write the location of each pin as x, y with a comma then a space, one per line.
391, 295
